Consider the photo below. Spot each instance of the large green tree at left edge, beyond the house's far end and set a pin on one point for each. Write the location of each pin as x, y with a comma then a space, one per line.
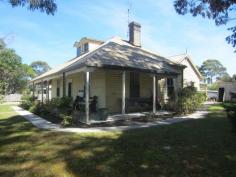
13, 74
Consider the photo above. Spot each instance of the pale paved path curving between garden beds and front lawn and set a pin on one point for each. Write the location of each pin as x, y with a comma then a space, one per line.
44, 124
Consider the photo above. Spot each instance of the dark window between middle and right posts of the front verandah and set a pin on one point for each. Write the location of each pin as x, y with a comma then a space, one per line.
134, 85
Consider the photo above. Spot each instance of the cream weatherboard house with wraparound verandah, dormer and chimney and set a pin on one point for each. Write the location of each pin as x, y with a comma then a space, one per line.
118, 76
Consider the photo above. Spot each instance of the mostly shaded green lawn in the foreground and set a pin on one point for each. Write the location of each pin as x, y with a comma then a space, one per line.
196, 148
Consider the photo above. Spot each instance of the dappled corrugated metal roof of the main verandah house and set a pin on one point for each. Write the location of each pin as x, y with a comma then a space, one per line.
120, 54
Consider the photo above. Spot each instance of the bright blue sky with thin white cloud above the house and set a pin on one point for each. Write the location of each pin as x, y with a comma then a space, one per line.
38, 36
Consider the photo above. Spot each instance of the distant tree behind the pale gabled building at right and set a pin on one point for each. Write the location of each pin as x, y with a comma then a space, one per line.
211, 69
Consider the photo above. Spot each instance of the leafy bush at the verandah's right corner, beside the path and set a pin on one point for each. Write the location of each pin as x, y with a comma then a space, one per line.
189, 100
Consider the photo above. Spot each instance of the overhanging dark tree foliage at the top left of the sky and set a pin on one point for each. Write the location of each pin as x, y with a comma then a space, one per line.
48, 6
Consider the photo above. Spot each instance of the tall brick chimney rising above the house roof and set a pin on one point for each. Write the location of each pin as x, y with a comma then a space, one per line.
135, 34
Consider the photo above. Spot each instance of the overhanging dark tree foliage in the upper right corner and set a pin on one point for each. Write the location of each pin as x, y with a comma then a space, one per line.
221, 11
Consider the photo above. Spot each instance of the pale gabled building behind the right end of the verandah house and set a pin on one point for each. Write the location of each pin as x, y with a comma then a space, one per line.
192, 76
